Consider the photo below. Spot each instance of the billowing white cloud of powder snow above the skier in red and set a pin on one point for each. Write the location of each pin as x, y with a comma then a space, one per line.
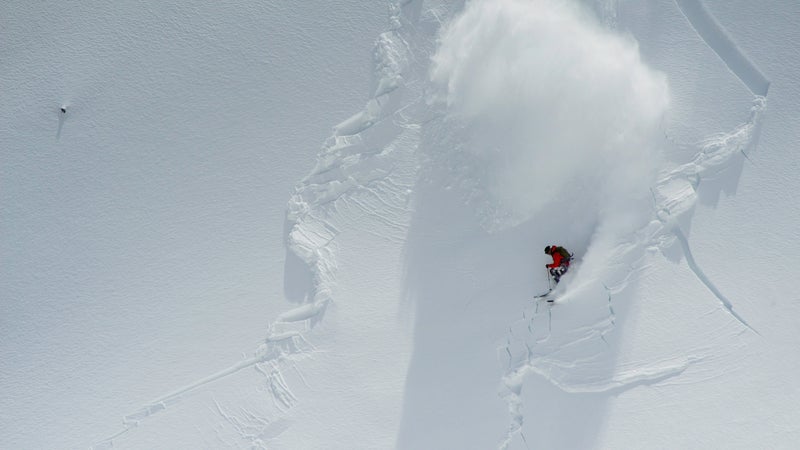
557, 109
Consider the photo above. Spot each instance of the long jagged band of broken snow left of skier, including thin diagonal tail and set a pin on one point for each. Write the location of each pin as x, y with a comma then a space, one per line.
351, 172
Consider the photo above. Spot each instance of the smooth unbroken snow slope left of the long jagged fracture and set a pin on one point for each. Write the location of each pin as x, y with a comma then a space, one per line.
143, 241
